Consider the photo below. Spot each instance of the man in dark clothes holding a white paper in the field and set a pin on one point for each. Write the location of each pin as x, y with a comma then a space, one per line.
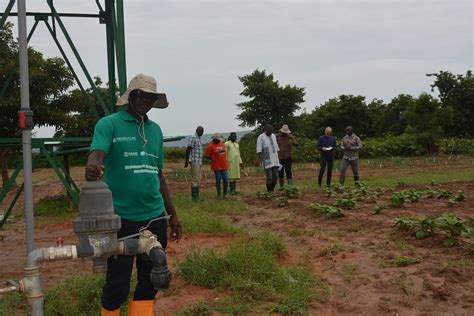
327, 148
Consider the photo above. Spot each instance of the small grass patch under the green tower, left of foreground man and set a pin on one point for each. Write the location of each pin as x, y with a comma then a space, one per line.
57, 206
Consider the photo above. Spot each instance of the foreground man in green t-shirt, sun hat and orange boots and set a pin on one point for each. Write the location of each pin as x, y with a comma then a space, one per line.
127, 152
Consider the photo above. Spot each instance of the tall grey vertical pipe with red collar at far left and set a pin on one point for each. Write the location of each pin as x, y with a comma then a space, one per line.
26, 133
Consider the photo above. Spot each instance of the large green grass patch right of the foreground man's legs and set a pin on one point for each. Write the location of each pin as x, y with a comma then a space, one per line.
250, 271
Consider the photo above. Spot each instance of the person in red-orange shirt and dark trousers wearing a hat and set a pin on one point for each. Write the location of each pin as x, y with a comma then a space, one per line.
217, 154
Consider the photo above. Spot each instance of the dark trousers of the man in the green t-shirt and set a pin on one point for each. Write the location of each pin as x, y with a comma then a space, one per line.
119, 268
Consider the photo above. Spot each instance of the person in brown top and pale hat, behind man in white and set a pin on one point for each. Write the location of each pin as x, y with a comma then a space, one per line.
286, 141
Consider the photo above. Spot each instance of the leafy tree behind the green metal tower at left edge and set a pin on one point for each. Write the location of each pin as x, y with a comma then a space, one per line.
49, 81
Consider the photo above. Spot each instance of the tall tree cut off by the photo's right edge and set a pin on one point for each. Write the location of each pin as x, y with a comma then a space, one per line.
457, 92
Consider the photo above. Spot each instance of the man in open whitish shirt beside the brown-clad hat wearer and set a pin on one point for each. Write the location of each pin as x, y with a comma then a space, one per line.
267, 153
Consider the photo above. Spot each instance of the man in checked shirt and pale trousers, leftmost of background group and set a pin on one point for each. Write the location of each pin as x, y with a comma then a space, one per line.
194, 157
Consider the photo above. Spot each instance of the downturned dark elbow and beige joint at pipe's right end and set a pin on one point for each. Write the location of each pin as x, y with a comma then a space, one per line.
160, 274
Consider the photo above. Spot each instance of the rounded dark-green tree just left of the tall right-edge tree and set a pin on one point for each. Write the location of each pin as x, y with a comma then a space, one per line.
424, 119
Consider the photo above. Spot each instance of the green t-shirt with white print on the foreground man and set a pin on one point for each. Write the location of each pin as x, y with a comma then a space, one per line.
131, 166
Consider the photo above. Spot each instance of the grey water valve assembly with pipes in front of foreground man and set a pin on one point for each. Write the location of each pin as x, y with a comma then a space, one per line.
96, 228
